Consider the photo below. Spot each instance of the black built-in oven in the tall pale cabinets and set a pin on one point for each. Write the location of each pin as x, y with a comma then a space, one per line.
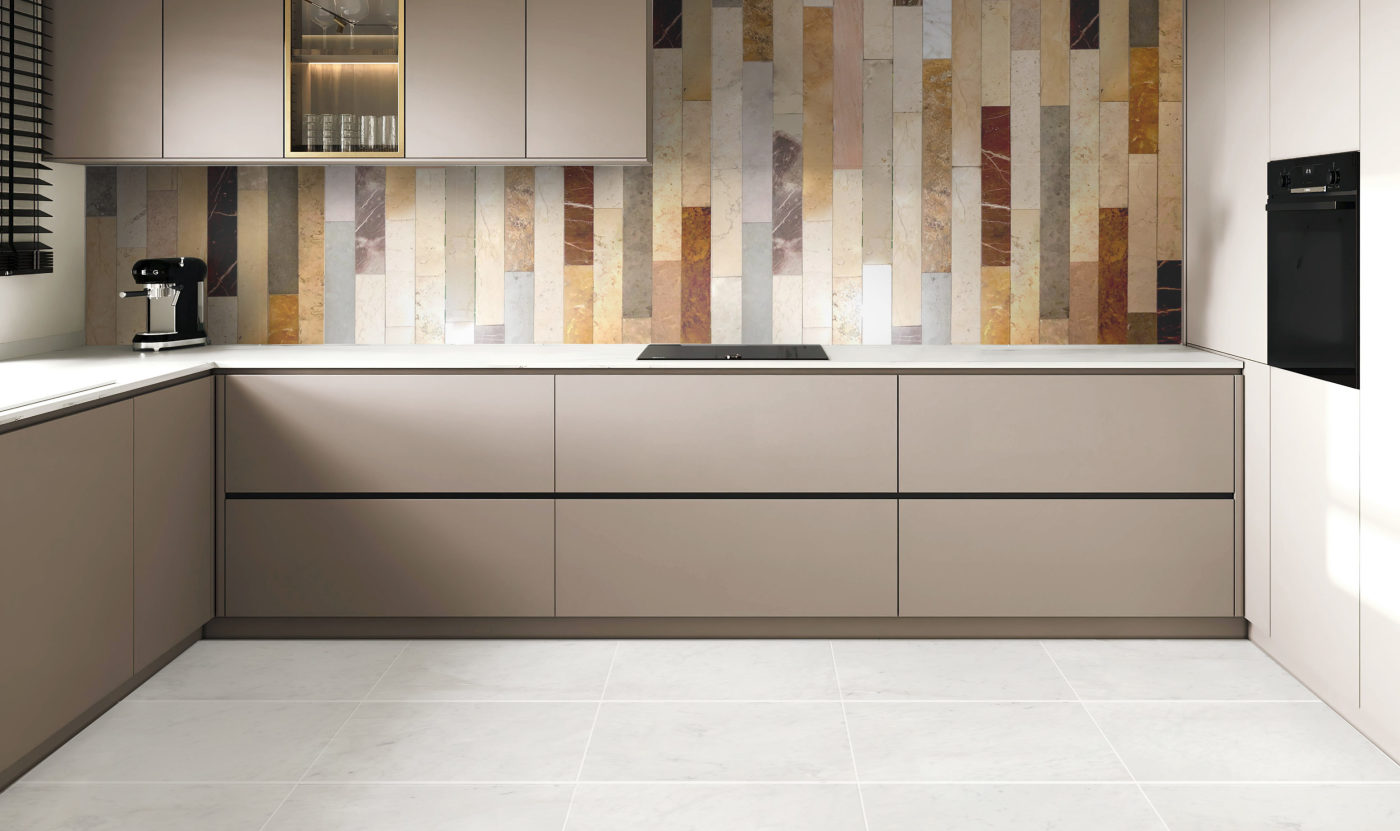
1314, 271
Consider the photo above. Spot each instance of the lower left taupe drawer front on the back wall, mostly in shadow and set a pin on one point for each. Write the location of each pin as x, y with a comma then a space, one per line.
391, 559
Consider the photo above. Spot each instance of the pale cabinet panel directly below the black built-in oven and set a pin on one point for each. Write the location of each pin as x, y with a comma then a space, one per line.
1315, 534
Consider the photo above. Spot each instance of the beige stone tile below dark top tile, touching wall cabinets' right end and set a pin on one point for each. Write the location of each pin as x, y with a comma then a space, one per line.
667, 156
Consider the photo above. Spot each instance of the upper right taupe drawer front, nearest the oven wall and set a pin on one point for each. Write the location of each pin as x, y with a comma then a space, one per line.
1067, 434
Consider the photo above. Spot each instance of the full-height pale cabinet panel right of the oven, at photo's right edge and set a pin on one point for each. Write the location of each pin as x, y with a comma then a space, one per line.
1381, 367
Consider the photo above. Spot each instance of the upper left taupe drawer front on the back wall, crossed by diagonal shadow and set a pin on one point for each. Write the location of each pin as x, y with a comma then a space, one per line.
390, 433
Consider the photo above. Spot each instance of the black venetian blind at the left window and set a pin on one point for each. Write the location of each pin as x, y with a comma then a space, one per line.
23, 108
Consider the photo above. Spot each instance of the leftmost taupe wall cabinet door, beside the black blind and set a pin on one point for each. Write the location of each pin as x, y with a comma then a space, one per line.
107, 79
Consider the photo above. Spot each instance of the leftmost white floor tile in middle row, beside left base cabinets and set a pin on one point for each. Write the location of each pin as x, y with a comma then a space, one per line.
198, 742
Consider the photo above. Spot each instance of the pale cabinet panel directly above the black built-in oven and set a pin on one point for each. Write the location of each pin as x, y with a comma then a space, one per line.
1315, 78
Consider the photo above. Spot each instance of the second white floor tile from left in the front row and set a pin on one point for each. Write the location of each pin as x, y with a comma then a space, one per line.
423, 808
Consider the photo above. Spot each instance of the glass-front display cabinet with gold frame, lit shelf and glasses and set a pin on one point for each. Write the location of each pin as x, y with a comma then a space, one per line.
345, 79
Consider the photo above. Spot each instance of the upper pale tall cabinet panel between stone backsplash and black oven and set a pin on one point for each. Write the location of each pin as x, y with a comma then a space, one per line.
1227, 155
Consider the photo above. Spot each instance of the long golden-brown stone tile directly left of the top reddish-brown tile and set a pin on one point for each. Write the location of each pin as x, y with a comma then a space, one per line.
817, 115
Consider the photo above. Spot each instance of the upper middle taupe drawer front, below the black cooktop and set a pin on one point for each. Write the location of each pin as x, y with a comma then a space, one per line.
642, 433
